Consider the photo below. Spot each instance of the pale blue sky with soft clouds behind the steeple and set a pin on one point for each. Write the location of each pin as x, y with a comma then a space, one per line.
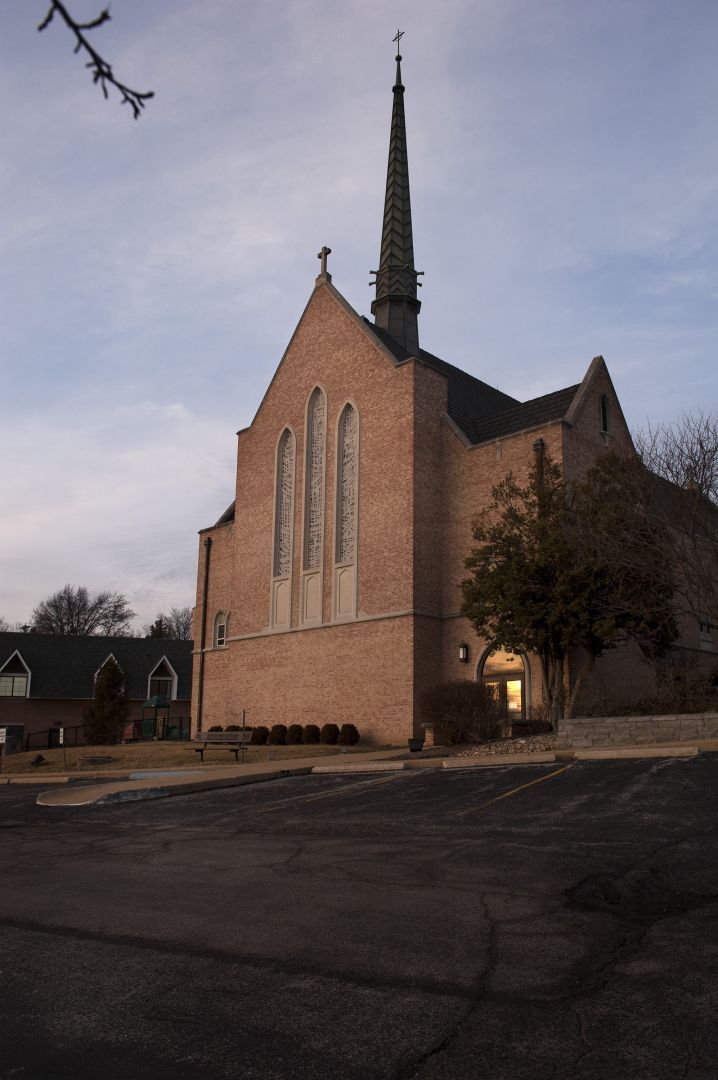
564, 164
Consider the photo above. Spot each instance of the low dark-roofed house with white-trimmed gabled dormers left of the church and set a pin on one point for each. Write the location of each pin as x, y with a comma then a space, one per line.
47, 680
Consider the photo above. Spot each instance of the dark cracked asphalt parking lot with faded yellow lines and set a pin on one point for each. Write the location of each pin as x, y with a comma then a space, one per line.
538, 922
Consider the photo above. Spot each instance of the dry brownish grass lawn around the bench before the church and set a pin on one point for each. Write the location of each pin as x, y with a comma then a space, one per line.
154, 755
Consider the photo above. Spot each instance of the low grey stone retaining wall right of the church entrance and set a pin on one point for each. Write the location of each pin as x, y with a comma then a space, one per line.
636, 731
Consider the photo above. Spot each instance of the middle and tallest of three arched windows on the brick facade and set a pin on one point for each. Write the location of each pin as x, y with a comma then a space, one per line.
314, 539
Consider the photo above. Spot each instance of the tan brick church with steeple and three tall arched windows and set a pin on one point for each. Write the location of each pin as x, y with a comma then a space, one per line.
330, 590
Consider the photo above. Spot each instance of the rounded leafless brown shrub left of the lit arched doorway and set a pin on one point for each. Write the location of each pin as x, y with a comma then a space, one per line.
463, 712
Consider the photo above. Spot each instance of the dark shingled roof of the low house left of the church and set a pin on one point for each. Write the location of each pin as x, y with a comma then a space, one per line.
65, 666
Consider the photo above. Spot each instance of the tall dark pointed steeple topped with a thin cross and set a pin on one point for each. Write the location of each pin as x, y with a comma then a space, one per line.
397, 307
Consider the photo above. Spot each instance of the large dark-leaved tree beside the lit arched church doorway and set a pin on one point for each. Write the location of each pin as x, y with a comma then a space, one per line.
560, 570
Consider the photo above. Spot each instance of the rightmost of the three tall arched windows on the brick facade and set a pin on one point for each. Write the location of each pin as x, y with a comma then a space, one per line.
347, 518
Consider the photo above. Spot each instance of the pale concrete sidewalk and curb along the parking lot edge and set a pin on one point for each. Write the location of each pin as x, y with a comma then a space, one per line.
162, 785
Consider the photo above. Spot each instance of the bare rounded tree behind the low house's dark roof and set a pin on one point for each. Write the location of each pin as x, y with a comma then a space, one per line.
73, 611
